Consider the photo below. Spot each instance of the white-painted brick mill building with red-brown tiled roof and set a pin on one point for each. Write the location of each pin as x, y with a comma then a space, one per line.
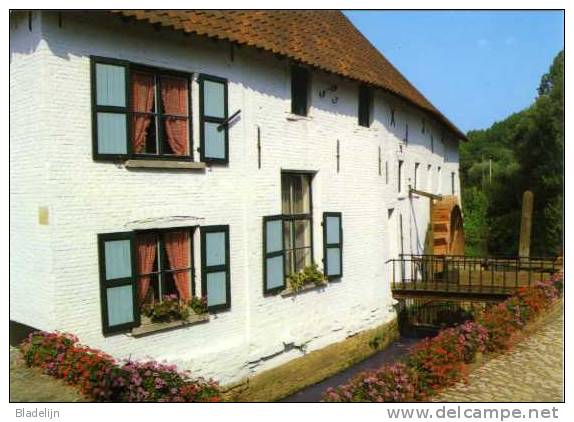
79, 177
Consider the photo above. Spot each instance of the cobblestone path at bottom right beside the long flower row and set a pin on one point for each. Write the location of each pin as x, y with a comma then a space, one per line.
531, 372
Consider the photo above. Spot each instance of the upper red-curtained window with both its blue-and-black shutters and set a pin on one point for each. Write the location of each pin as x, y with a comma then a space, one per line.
145, 112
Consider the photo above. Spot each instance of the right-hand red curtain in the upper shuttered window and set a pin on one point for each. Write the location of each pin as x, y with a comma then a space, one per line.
174, 97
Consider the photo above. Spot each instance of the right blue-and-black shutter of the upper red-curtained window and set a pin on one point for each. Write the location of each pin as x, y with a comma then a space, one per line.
214, 129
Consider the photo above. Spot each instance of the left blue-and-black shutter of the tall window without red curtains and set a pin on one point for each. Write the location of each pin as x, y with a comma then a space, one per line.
273, 254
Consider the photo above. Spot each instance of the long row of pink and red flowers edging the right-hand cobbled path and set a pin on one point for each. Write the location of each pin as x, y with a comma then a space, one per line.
440, 361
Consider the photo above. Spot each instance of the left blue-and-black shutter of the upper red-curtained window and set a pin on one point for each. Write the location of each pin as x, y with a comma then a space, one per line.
110, 99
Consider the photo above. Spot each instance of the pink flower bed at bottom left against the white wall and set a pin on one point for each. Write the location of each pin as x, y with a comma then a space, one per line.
102, 378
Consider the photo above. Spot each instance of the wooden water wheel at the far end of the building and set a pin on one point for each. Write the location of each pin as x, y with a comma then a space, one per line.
447, 229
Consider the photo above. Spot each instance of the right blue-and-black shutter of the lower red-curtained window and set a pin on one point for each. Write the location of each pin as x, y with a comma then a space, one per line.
215, 276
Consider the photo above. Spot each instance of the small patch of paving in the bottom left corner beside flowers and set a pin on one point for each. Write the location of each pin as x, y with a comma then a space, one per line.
30, 385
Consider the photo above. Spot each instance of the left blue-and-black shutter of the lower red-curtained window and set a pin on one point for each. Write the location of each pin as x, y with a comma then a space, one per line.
118, 290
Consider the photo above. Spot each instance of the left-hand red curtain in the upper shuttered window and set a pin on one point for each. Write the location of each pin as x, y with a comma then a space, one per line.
142, 101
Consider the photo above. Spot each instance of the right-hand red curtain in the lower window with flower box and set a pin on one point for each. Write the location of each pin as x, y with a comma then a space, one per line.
178, 254
